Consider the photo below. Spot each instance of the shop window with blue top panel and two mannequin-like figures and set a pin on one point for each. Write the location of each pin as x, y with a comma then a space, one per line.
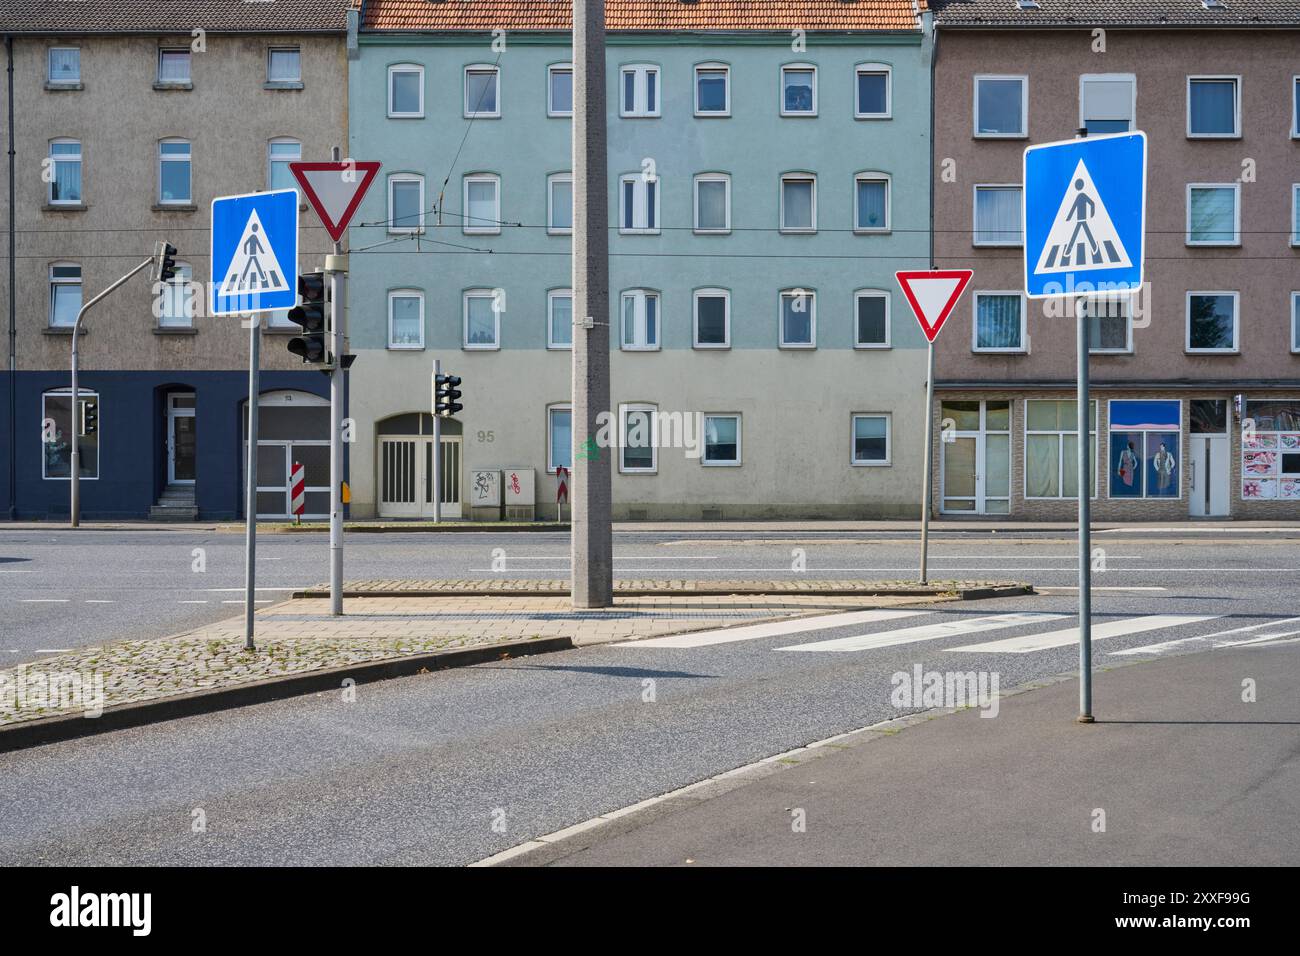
1145, 449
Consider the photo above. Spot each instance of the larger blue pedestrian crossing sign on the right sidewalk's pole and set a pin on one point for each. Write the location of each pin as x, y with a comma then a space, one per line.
1085, 215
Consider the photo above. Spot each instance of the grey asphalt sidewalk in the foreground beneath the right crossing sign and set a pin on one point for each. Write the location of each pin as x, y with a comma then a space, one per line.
1185, 772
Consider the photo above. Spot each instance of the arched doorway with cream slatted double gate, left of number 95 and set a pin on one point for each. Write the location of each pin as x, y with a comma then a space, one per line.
405, 466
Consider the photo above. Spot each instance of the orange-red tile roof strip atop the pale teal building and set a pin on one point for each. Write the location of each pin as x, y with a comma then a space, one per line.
645, 15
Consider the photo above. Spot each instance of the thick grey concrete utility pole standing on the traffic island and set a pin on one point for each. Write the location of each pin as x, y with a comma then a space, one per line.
592, 540
